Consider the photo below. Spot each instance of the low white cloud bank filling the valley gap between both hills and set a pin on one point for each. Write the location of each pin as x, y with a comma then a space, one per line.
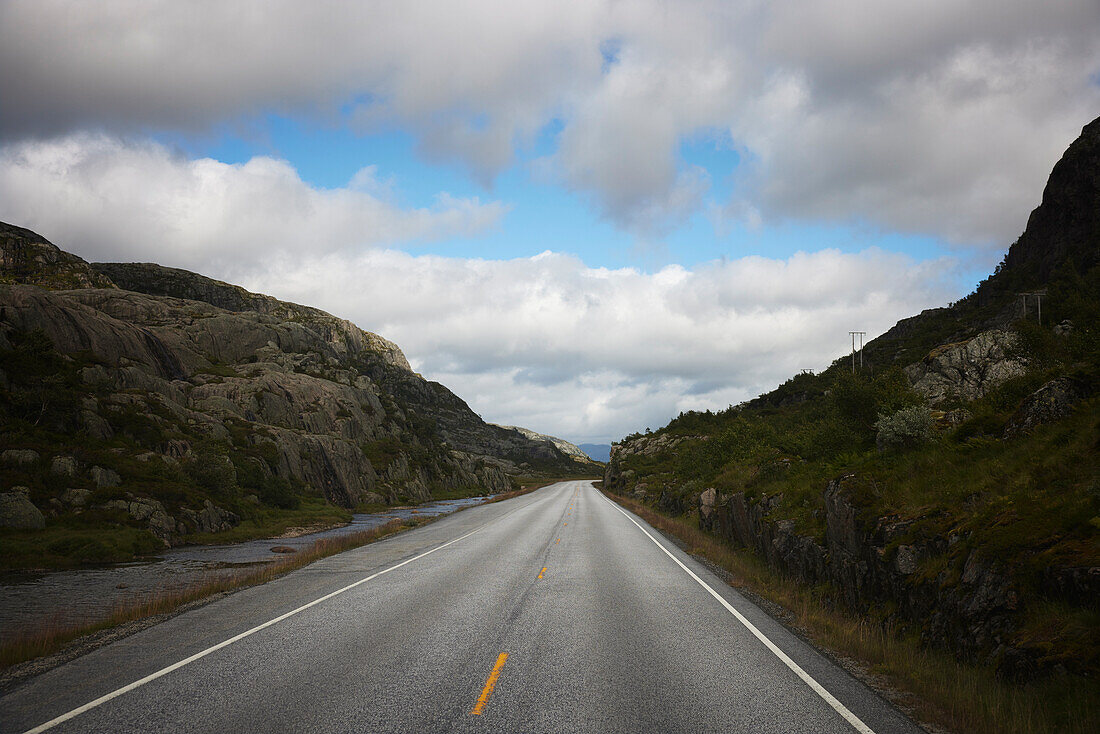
596, 354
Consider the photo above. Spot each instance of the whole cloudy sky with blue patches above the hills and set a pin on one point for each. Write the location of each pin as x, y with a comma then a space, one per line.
582, 217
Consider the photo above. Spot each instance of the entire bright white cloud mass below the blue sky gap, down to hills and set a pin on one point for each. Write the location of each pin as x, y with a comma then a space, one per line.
544, 342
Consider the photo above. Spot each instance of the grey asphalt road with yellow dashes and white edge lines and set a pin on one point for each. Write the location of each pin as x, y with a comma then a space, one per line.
553, 612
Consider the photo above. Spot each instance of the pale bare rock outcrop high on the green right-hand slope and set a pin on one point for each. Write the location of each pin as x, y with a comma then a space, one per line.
966, 370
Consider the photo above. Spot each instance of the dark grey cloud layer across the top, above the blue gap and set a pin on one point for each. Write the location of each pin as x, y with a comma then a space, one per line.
941, 118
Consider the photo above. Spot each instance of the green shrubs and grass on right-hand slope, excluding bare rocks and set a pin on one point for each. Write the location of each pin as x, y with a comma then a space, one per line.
964, 481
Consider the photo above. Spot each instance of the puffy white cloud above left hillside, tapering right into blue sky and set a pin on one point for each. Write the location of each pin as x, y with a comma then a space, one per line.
129, 201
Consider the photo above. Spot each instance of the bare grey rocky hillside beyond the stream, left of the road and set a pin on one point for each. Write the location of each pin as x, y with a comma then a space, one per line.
169, 404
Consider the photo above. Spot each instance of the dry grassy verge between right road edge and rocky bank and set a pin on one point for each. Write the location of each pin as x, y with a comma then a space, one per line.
936, 687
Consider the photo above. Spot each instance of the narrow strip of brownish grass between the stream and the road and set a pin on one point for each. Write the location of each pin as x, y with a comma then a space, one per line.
52, 637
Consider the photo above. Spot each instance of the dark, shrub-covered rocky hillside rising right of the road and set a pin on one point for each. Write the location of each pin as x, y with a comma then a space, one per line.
950, 490
